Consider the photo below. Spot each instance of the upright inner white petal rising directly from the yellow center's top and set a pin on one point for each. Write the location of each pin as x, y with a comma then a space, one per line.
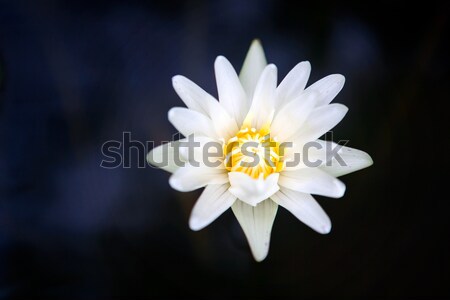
262, 109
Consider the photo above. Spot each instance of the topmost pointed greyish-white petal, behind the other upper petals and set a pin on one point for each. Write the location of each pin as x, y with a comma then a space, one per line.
254, 64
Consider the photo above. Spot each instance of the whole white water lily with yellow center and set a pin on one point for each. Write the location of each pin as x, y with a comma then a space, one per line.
253, 109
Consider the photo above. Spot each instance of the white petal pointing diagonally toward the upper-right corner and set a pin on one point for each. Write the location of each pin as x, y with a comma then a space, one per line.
328, 87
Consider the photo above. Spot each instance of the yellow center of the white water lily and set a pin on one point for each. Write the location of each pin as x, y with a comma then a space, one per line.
253, 152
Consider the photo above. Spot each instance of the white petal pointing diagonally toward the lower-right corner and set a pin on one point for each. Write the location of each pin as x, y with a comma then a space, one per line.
305, 208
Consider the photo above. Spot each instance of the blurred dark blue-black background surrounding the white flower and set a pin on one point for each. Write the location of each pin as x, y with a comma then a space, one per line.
74, 74
